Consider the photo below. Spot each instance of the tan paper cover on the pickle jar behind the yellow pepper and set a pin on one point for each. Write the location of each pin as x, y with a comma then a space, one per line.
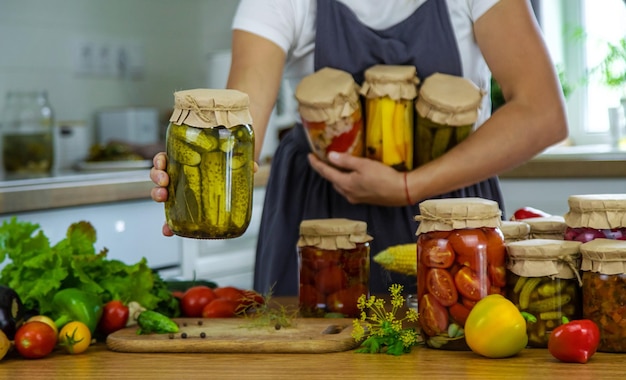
545, 258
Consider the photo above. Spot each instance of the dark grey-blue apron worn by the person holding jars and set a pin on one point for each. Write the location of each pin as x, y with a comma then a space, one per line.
296, 192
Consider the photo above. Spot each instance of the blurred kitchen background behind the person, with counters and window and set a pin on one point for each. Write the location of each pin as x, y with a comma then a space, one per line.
109, 68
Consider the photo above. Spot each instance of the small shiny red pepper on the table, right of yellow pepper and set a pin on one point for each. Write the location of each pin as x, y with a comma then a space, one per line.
574, 341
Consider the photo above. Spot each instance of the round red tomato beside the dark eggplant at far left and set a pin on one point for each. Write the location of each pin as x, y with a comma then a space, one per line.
34, 340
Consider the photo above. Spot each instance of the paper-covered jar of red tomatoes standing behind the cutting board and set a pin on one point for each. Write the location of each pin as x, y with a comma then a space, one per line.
334, 267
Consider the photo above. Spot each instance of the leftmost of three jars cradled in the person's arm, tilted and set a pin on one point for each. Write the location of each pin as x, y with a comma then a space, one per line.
330, 109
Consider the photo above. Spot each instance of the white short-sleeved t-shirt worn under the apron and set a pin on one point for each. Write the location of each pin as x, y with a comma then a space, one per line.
291, 25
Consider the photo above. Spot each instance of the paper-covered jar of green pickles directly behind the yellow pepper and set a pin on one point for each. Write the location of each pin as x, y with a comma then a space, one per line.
543, 280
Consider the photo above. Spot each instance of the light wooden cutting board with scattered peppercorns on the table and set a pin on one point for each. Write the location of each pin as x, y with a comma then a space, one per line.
238, 335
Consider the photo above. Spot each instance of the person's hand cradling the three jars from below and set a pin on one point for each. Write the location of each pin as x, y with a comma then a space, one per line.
361, 180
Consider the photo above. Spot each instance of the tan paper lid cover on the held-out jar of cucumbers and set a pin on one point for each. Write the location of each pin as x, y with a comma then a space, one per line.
209, 108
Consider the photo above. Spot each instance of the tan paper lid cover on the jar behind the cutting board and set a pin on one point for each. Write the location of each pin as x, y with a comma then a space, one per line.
332, 234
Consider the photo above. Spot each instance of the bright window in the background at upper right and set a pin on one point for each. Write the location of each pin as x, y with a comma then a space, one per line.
578, 33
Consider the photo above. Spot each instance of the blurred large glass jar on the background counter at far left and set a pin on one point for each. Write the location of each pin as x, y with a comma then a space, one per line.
27, 135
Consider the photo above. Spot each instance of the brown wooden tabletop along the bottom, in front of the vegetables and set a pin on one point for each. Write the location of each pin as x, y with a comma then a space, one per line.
100, 363
